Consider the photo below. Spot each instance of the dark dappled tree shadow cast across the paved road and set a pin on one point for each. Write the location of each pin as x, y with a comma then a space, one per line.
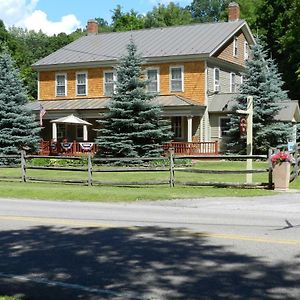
146, 263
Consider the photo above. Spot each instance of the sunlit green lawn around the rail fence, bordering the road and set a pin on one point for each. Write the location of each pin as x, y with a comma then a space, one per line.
56, 191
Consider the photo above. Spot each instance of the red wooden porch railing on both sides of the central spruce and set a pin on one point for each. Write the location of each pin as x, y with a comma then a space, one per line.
76, 148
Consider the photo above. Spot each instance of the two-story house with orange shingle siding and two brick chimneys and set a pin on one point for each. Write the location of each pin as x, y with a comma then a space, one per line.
191, 68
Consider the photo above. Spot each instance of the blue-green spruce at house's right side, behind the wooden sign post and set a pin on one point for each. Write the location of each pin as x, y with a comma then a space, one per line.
262, 81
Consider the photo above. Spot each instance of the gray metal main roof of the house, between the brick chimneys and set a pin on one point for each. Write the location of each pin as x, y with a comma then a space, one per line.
197, 39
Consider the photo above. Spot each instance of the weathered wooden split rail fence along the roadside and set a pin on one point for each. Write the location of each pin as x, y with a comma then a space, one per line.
95, 165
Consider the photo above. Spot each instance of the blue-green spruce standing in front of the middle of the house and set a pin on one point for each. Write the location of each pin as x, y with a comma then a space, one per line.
133, 126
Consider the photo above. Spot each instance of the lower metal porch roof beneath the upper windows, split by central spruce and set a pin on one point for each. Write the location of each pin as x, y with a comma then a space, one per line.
102, 103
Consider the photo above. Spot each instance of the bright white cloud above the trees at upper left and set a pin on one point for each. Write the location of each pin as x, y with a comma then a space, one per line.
23, 13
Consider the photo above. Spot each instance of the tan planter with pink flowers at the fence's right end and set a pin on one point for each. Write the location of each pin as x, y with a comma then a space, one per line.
281, 170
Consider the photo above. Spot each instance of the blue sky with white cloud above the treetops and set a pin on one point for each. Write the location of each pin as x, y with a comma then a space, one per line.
56, 16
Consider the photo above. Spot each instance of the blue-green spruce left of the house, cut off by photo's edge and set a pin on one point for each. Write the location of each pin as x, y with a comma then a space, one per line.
18, 128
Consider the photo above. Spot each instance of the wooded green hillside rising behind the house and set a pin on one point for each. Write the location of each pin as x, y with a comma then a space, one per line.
275, 21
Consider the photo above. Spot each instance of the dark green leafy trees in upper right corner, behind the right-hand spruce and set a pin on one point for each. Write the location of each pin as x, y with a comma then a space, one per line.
278, 21
